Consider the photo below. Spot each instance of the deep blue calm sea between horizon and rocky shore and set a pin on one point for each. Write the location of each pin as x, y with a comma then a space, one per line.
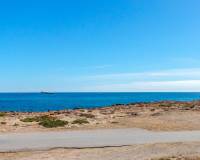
44, 102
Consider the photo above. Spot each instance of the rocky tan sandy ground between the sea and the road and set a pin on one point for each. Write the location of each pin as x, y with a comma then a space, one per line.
160, 116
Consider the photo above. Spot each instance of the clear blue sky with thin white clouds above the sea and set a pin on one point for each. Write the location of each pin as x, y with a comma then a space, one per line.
99, 45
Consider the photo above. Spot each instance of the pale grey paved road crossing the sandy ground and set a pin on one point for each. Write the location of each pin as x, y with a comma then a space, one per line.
91, 138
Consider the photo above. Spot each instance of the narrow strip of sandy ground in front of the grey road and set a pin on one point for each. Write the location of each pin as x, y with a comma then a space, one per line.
183, 151
